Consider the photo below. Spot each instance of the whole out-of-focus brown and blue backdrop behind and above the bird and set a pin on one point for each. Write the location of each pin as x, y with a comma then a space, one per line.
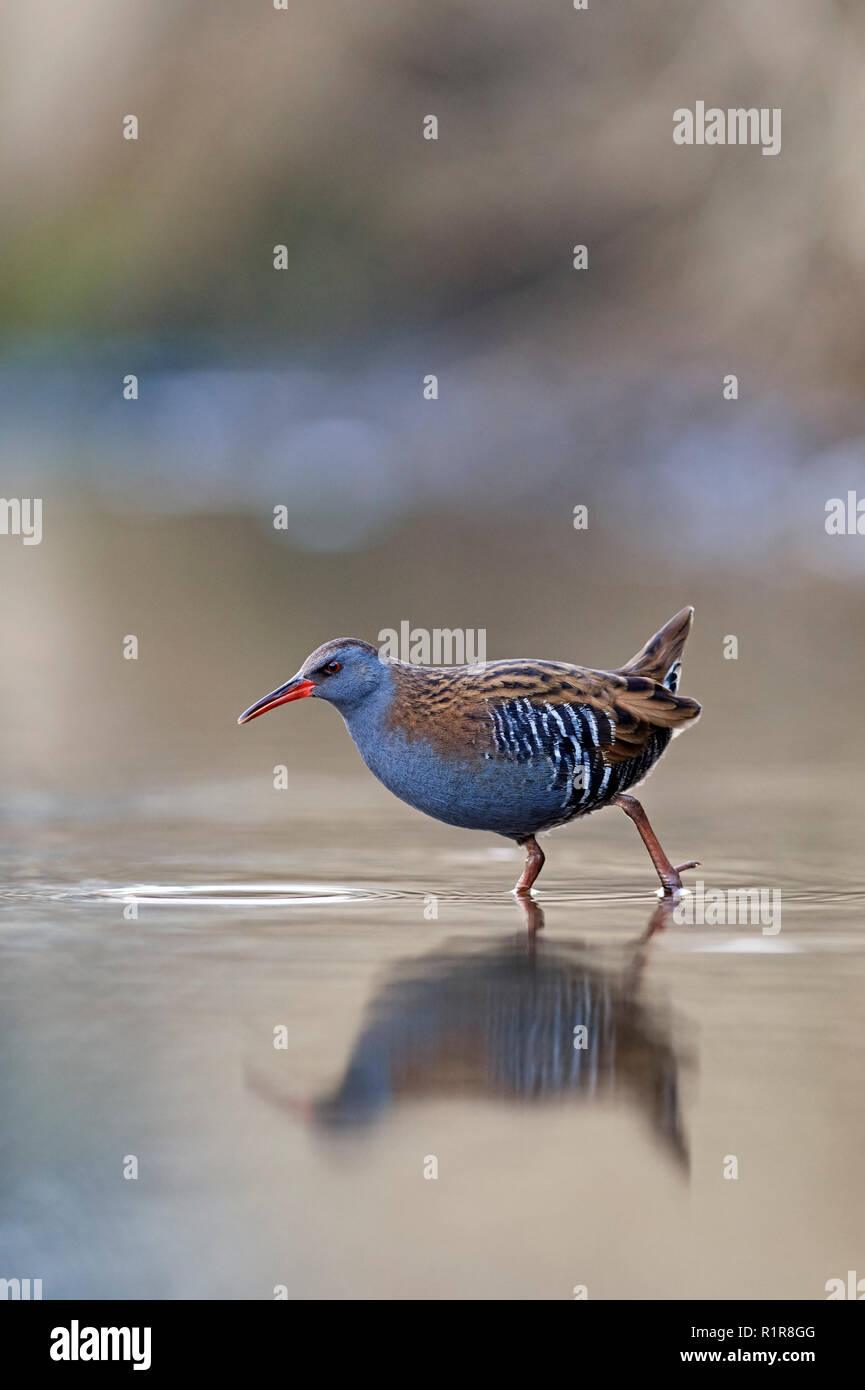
304, 387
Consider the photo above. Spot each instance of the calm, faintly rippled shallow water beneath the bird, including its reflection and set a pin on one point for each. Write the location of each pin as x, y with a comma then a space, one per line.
152, 947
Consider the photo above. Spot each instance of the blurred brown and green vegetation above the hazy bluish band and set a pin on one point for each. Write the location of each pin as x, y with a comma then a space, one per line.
261, 127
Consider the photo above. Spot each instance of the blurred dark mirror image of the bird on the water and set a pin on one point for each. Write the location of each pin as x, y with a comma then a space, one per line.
504, 1021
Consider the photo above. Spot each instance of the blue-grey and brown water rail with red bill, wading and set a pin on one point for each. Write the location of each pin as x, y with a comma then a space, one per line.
512, 747
